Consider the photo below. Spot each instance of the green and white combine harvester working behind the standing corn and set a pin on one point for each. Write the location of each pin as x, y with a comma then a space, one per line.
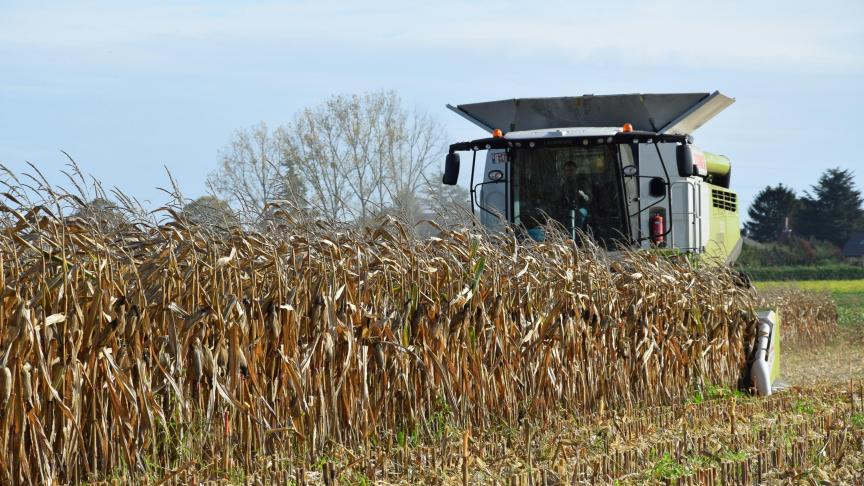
621, 168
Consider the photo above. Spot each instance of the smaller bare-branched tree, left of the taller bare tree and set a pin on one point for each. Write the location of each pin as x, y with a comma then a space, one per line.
253, 171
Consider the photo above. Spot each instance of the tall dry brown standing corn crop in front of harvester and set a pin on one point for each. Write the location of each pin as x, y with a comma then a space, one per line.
152, 351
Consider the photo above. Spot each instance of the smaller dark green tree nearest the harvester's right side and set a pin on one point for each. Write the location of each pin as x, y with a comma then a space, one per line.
769, 211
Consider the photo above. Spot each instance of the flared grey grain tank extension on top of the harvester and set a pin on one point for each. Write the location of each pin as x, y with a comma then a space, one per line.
678, 113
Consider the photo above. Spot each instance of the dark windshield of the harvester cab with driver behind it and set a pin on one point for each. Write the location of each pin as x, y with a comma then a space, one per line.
576, 186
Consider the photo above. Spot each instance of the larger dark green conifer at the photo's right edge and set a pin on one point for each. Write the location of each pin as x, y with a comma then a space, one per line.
832, 212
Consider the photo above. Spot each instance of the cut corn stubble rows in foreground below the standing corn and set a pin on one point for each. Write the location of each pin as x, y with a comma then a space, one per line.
802, 434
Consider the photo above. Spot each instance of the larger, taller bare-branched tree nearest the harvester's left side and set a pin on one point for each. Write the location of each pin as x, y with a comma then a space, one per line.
362, 154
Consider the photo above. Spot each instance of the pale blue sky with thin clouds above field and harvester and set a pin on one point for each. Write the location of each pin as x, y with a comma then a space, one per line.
127, 88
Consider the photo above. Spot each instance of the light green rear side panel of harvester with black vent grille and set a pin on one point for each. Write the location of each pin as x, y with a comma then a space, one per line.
724, 224
